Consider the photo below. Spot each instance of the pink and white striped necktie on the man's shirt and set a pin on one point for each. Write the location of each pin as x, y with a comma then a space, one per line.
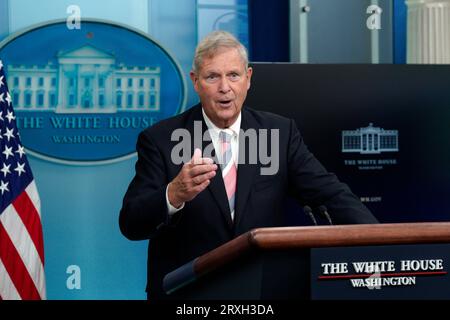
228, 167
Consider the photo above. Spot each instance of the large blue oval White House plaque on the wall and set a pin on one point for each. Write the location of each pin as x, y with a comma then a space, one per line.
83, 96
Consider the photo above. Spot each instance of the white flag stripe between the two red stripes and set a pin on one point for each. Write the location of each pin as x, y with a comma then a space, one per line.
24, 246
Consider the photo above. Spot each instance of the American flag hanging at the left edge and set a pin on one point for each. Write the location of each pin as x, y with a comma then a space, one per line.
21, 242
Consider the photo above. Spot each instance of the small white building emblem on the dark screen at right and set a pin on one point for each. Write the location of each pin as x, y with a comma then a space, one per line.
370, 140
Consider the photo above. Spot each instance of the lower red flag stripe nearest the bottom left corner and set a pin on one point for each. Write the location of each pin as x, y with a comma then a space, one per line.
15, 267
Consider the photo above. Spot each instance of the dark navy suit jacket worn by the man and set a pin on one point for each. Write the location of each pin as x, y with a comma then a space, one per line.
205, 223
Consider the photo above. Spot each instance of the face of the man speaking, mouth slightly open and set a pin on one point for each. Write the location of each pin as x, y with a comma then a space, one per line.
222, 83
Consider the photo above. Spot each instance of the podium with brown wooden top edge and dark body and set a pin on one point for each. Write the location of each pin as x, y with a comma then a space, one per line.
275, 263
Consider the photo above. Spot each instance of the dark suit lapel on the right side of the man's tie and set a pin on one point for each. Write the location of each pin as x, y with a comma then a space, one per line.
246, 171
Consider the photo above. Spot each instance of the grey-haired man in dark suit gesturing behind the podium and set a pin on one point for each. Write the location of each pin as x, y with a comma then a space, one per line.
221, 169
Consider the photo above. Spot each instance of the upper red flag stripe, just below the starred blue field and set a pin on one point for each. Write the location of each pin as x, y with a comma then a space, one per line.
31, 219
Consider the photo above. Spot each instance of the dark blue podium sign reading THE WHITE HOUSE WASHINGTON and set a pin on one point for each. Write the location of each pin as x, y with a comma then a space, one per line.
415, 271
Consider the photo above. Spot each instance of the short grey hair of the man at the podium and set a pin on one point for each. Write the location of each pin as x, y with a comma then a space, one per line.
212, 43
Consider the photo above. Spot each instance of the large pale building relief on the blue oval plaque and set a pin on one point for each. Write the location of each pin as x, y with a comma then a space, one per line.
85, 80
